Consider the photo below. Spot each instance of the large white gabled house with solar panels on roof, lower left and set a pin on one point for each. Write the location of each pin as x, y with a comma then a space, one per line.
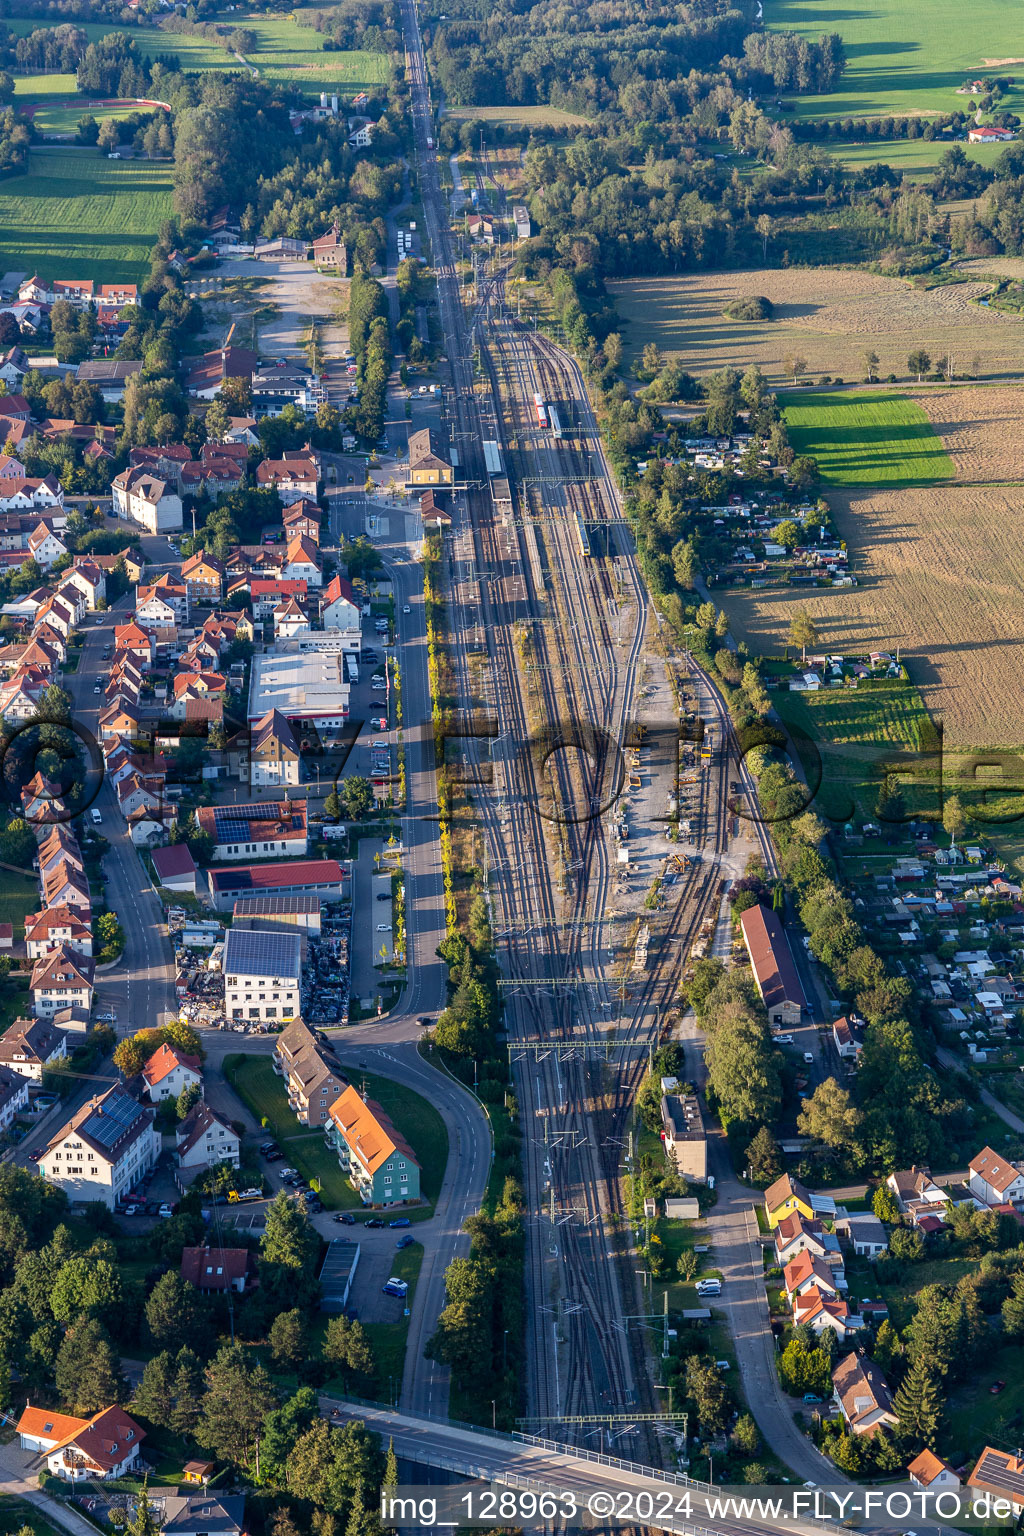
104, 1150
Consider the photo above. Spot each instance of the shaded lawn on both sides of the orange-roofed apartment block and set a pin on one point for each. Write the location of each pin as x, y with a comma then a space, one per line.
263, 1093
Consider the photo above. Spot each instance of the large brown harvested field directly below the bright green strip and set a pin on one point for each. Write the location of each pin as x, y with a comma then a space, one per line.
942, 575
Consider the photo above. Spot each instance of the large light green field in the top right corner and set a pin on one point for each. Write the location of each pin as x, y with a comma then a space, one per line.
907, 58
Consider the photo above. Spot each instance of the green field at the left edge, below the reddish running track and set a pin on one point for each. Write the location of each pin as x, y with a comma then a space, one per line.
96, 217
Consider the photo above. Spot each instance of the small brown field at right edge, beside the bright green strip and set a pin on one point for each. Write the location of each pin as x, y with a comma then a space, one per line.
980, 428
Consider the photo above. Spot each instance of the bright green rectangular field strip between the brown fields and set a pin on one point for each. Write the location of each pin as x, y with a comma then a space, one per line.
867, 440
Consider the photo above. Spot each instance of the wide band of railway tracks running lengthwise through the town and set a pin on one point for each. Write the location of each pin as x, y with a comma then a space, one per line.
553, 953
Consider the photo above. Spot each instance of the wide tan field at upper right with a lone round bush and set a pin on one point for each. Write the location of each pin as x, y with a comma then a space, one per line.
827, 316
